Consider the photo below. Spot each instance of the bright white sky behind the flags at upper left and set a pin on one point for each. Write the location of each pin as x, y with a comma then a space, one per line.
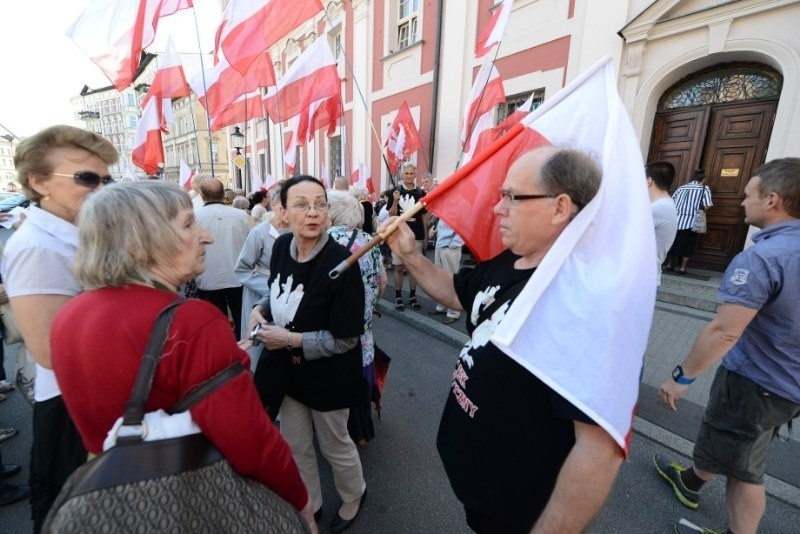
42, 69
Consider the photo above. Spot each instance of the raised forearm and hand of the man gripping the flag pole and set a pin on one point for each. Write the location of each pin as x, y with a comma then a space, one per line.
437, 283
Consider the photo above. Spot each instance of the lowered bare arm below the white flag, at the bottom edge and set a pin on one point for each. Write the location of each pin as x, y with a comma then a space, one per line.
584, 482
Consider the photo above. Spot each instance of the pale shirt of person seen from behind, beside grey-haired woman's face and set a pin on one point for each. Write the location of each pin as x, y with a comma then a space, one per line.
228, 226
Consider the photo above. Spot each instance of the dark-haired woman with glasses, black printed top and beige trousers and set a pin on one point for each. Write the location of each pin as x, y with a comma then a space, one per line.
311, 326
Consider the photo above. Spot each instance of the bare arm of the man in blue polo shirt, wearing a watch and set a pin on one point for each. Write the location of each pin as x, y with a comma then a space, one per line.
713, 343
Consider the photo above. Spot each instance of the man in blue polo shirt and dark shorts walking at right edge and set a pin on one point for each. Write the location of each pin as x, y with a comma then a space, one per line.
757, 388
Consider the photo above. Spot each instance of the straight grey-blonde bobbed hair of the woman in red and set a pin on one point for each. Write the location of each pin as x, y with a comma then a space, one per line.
125, 229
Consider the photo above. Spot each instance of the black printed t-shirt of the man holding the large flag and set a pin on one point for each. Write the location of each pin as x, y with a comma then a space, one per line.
504, 434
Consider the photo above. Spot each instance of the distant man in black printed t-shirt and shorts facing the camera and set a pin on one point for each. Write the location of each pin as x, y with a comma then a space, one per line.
405, 195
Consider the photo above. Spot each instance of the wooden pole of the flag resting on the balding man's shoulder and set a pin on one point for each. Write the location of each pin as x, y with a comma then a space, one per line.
445, 186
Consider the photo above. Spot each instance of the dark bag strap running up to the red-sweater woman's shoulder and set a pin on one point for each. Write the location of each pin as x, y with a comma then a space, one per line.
135, 407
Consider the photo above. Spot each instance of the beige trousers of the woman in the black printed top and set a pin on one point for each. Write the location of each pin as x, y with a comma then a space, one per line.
298, 423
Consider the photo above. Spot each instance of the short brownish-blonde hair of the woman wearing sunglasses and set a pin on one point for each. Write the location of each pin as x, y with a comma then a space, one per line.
32, 154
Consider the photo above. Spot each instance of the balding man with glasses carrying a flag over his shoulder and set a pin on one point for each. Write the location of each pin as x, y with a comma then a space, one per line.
518, 455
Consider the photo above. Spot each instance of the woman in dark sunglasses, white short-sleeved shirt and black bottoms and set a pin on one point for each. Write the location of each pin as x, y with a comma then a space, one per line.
57, 168
